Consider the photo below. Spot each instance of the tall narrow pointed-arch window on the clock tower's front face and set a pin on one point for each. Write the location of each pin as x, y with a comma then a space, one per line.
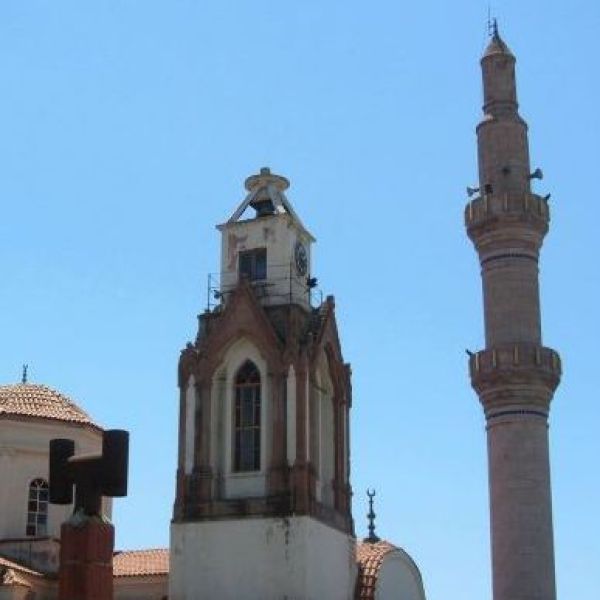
246, 426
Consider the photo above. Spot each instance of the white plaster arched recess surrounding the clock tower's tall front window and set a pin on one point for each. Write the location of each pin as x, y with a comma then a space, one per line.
247, 484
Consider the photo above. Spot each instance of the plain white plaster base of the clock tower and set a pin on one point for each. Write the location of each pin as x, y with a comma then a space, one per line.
261, 559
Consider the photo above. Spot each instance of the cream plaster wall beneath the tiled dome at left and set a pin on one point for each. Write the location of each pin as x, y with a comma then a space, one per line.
24, 452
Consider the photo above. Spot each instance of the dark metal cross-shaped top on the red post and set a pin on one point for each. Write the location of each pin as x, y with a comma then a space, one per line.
93, 475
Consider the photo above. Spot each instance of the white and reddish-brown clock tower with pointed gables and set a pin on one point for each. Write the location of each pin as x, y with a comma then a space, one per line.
262, 507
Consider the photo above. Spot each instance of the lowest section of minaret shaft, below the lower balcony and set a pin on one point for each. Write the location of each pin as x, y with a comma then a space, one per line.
520, 508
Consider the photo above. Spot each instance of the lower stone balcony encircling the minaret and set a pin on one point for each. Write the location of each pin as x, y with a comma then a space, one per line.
502, 374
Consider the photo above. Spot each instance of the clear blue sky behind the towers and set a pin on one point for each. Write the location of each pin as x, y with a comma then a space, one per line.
126, 130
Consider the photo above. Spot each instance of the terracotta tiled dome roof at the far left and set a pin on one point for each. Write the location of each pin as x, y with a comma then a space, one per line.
40, 402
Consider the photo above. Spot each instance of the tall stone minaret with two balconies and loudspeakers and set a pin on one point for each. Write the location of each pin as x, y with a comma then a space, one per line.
515, 375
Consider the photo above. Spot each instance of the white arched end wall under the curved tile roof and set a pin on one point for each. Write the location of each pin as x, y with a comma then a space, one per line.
399, 578
